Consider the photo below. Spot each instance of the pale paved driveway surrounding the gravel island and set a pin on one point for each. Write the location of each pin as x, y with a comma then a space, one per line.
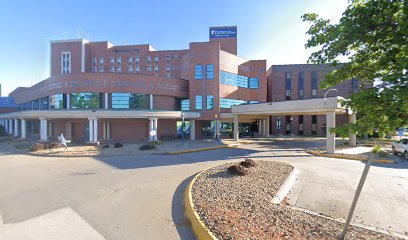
140, 197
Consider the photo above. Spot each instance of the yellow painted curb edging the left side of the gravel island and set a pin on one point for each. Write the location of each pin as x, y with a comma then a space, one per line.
199, 228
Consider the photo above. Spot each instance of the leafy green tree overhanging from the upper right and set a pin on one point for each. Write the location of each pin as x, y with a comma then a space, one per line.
372, 35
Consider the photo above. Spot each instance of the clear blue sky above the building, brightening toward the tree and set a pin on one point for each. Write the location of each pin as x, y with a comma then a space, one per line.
267, 29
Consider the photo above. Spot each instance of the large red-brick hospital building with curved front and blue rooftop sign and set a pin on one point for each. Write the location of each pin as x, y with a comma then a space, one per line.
97, 91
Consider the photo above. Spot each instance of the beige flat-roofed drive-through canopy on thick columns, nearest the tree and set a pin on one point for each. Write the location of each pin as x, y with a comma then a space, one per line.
316, 106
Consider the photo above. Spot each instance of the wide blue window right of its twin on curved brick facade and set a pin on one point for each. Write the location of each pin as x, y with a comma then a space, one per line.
129, 101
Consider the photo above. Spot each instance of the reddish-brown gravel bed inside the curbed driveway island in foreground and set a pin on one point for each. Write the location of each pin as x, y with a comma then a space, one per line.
240, 207
